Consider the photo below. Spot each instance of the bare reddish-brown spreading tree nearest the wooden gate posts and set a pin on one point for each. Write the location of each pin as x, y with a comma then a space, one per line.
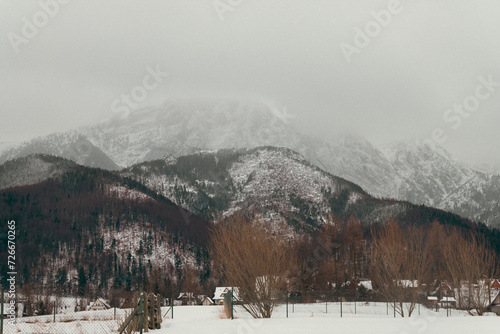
253, 260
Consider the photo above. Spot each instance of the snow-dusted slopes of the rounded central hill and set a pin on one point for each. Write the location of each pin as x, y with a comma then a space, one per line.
277, 182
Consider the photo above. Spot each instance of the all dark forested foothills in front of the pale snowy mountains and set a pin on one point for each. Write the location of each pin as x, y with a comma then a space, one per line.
88, 231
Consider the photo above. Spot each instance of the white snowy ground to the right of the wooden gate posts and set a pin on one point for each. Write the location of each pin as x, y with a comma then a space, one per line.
312, 318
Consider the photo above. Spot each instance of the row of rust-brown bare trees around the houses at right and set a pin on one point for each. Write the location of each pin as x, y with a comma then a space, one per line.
335, 259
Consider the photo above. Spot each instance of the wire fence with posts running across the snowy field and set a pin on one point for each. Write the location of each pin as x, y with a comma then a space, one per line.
148, 314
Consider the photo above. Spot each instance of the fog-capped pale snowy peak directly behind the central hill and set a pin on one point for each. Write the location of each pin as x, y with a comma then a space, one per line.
186, 126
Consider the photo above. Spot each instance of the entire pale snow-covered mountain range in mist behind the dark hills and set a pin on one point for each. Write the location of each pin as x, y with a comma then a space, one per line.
410, 171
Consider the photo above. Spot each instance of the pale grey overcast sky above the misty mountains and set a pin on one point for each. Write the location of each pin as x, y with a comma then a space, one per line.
396, 83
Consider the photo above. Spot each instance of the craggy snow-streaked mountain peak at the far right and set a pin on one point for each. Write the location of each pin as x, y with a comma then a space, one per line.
432, 177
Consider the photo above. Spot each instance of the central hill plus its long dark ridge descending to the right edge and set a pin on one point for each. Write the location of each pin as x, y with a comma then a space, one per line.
281, 186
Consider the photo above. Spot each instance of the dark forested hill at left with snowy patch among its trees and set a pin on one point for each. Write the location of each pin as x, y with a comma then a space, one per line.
87, 230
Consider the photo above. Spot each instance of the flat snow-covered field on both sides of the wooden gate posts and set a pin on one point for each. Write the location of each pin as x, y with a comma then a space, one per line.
302, 318
